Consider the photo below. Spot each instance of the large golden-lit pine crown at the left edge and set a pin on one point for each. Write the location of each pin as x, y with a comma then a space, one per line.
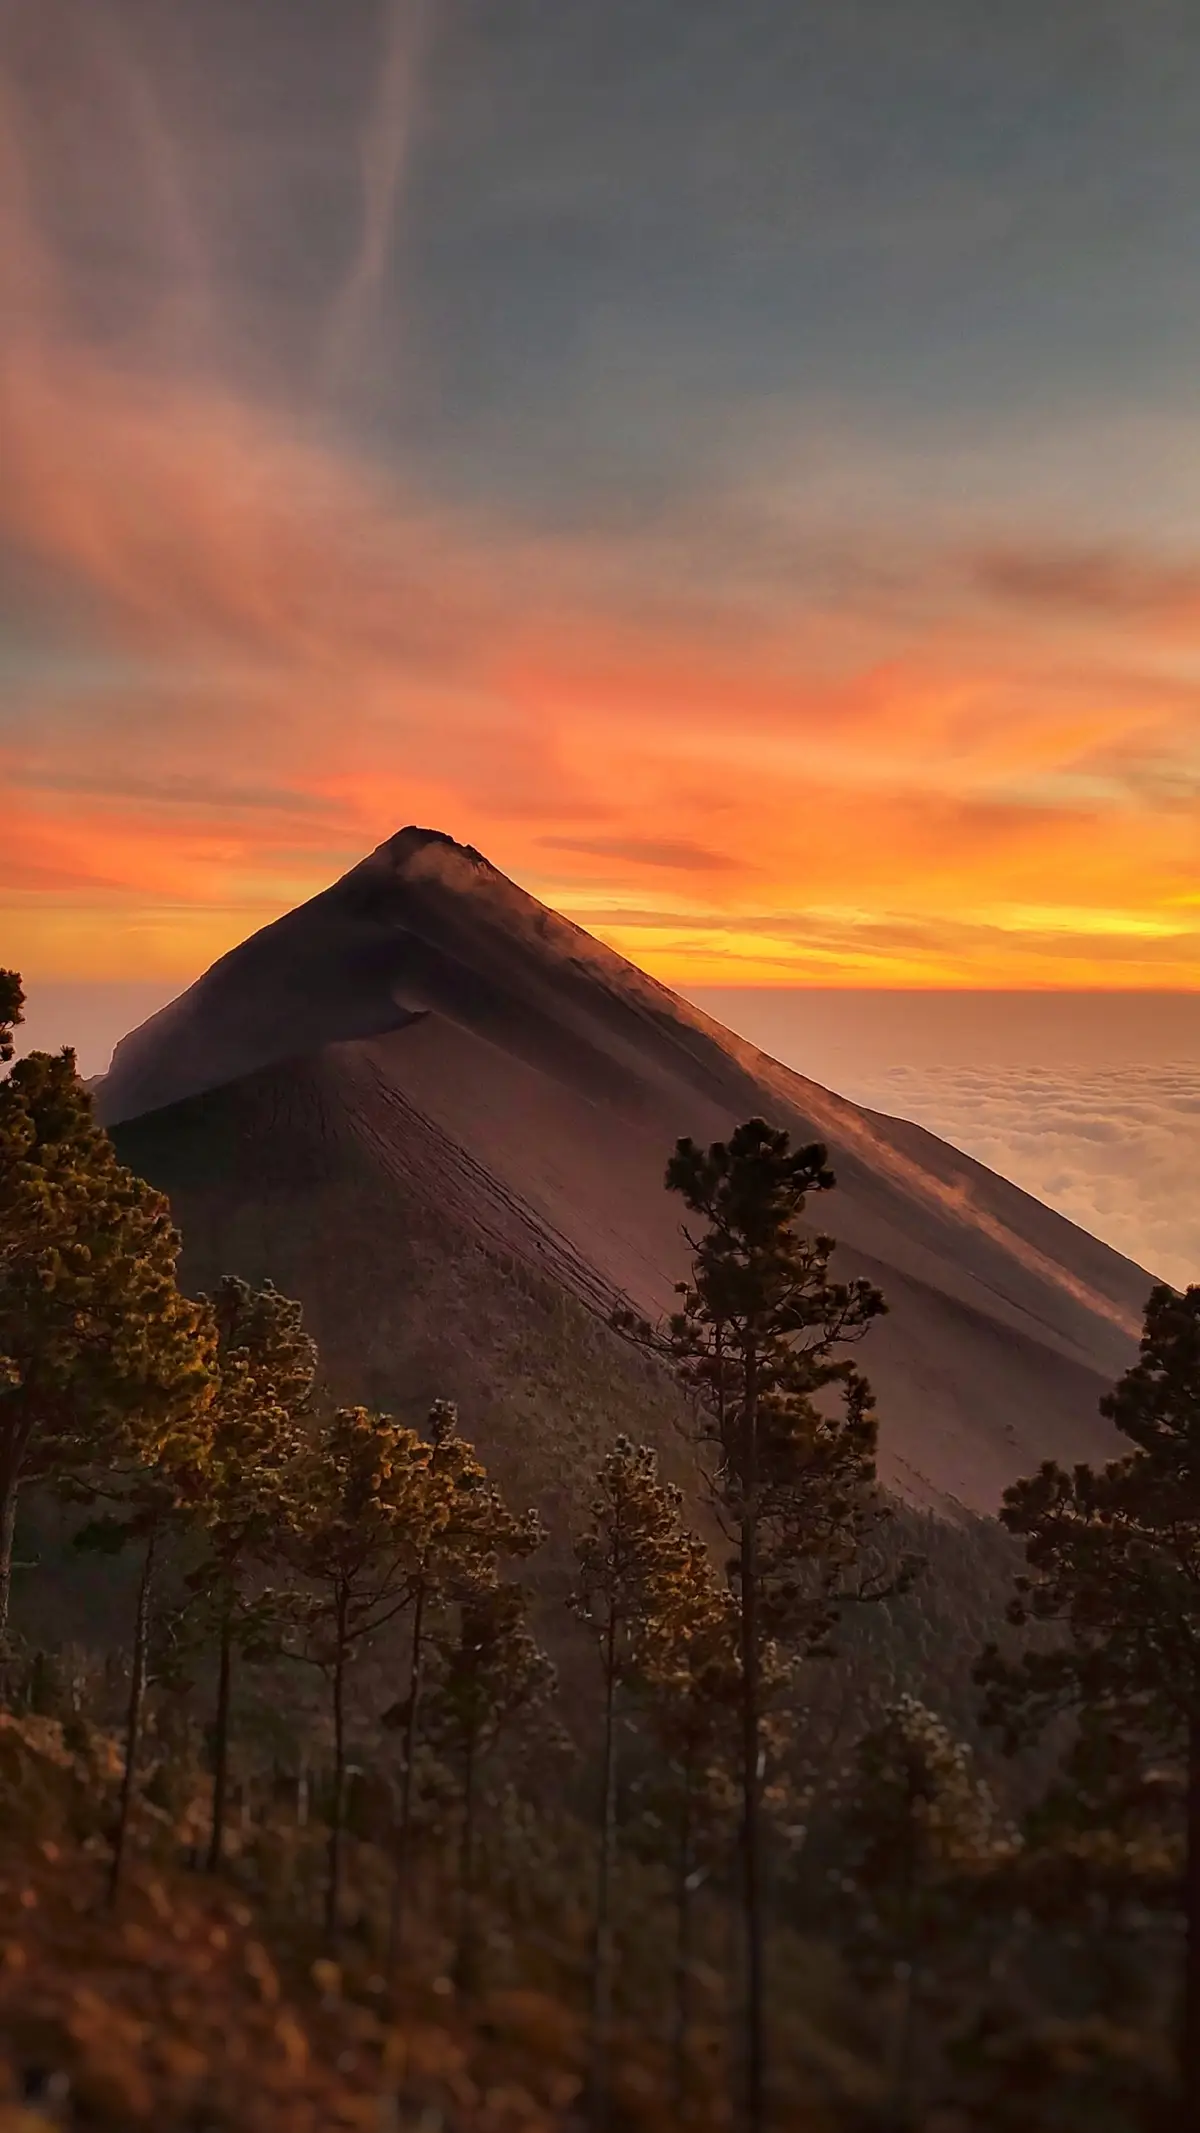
95, 1332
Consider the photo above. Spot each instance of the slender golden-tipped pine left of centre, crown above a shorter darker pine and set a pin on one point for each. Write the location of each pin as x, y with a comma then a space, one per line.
466, 1533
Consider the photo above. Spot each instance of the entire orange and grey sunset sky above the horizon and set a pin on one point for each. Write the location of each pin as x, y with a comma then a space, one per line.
736, 464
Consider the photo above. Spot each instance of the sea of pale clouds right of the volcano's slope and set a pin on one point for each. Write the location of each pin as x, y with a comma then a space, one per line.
1114, 1149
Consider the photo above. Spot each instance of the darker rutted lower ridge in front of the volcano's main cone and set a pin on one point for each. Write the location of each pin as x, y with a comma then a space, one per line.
421, 1277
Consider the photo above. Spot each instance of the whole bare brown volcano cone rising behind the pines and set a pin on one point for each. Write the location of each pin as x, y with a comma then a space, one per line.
440, 1114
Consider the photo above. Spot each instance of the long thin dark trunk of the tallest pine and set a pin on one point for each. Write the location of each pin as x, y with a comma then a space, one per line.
751, 1752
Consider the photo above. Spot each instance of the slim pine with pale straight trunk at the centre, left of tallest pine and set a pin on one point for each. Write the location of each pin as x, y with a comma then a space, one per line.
632, 1560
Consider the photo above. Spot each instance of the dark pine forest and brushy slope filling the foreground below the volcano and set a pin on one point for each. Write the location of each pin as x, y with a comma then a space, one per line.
336, 1793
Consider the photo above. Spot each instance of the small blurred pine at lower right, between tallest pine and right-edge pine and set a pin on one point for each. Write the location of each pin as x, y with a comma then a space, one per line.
922, 1835
